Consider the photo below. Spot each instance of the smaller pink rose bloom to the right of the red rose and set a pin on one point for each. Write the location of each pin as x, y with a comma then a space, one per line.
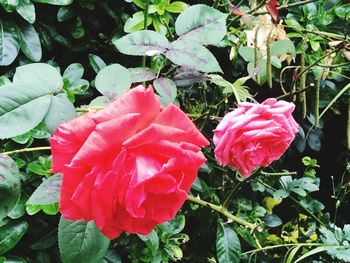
255, 134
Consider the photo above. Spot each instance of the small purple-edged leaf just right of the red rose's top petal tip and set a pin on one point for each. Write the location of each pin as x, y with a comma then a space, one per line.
166, 89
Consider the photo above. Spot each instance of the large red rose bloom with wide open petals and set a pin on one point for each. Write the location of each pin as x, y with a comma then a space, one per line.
129, 166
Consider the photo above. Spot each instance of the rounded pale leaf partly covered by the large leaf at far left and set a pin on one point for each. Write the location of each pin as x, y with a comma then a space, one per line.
40, 75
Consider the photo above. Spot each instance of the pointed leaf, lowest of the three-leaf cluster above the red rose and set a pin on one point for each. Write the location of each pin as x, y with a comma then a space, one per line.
193, 56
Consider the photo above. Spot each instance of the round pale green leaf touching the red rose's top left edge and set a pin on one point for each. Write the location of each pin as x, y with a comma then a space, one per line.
113, 80
